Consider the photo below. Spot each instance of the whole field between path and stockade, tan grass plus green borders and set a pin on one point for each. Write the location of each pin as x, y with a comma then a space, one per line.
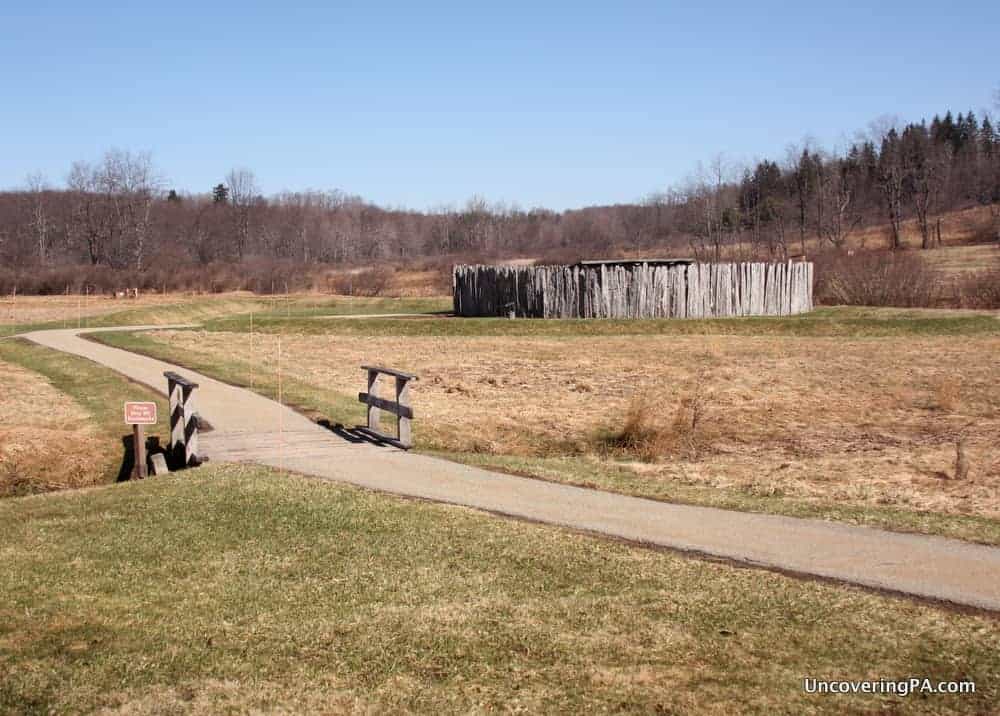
847, 414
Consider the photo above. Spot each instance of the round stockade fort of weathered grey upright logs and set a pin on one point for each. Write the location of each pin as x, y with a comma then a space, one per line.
634, 288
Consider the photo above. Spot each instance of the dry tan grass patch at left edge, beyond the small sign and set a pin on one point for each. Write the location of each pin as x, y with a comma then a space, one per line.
45, 437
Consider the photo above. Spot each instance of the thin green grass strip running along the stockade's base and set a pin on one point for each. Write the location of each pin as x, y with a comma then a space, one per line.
831, 321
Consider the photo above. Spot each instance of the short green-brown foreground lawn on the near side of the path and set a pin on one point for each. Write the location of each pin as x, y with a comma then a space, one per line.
239, 589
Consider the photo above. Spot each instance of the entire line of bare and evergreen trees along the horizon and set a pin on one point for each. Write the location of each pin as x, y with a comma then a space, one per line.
118, 217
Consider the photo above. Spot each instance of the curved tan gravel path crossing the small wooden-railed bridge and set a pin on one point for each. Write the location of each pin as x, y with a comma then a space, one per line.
252, 428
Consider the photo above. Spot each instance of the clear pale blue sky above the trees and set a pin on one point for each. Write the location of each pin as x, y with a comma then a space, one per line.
426, 104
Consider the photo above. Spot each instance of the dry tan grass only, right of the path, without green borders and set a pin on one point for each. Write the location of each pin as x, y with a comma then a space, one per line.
858, 421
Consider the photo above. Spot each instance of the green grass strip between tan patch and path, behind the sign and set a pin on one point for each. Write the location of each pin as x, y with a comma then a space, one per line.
100, 391
